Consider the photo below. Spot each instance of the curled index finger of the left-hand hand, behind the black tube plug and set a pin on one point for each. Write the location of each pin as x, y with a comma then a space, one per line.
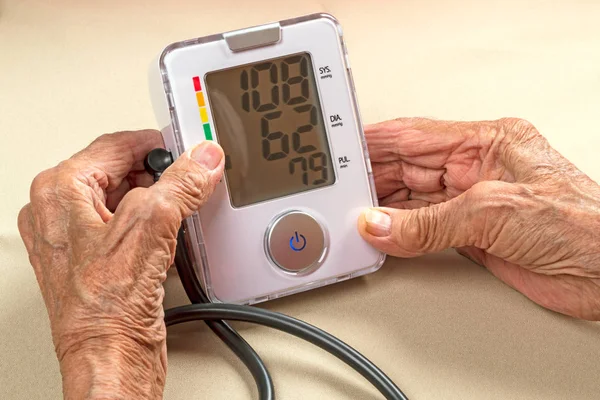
117, 154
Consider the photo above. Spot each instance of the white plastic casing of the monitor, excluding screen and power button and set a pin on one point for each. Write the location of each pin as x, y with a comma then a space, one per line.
226, 244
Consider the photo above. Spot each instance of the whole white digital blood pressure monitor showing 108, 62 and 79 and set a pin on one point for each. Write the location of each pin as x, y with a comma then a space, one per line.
279, 99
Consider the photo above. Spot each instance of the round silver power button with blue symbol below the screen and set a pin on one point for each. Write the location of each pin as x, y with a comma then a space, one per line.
295, 241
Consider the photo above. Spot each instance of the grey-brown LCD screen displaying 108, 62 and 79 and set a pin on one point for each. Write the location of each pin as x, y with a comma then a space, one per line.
268, 120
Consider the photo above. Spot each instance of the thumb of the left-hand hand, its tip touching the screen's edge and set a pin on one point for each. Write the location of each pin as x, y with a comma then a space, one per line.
181, 190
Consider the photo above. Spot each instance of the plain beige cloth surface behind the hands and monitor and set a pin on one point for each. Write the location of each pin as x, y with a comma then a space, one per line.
440, 326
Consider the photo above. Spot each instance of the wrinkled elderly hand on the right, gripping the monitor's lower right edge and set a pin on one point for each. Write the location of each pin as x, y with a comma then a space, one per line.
497, 192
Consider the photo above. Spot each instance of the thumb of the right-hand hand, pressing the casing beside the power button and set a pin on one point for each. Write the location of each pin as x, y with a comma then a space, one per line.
462, 221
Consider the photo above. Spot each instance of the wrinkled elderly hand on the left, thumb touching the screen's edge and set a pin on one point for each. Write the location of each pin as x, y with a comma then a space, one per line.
100, 244
